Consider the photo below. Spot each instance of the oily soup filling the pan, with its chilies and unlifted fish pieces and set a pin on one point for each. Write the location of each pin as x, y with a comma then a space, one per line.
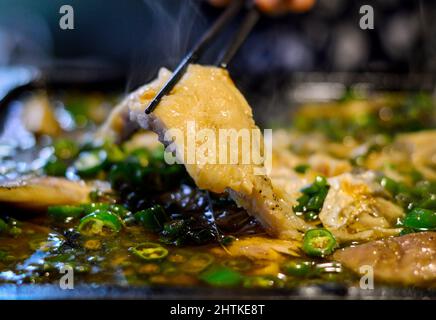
361, 171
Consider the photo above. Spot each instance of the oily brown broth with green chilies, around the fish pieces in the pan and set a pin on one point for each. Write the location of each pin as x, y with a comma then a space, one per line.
148, 224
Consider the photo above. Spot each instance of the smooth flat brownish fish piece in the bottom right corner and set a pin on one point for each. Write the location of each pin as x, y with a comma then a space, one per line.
409, 259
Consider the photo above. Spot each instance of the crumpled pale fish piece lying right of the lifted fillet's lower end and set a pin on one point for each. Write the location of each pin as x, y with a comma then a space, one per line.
355, 209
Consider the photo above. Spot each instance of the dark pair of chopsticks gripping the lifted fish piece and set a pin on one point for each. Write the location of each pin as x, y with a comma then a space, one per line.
251, 17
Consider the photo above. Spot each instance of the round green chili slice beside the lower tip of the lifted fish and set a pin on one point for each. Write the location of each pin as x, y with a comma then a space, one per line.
319, 242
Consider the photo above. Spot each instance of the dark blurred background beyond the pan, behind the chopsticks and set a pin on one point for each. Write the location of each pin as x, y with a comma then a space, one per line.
133, 38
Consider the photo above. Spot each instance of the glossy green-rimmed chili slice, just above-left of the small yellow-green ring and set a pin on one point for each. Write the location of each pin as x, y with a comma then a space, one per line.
100, 223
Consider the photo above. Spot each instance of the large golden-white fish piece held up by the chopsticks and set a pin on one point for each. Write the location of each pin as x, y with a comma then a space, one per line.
209, 97
